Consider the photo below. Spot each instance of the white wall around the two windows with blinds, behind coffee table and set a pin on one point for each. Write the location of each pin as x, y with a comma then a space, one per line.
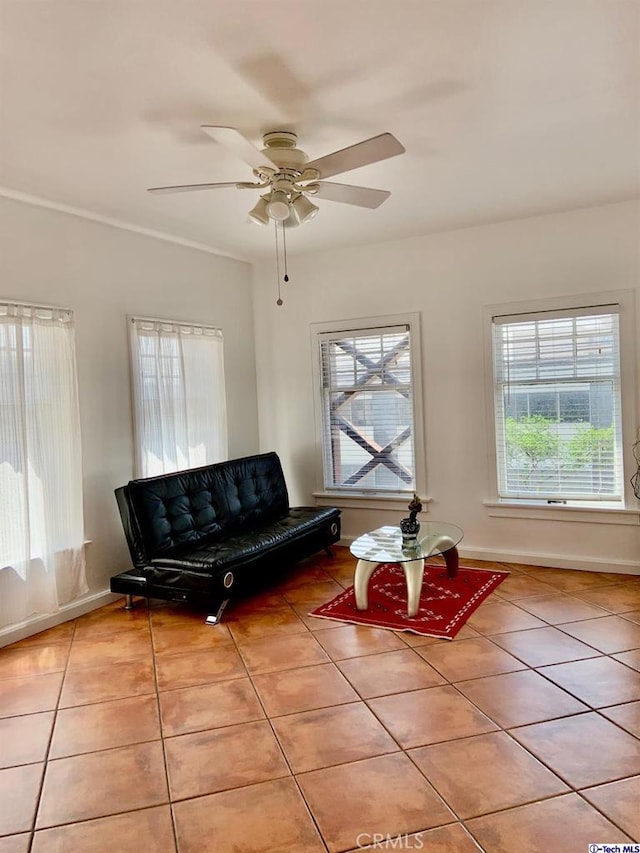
448, 277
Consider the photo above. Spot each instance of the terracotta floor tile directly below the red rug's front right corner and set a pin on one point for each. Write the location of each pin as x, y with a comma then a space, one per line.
469, 659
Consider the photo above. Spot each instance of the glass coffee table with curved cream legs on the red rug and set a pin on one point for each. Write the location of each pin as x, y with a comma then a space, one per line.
385, 545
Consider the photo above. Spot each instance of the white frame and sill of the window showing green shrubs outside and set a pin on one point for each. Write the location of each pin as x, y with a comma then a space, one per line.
606, 511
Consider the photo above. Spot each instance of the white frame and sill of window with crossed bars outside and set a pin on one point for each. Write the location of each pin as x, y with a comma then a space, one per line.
353, 497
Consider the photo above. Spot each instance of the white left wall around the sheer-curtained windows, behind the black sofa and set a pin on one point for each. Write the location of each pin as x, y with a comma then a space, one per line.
105, 273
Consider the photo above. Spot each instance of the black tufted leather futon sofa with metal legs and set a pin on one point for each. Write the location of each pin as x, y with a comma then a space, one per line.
198, 536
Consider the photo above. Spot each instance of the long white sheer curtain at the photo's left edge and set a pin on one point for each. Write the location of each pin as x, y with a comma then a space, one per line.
42, 562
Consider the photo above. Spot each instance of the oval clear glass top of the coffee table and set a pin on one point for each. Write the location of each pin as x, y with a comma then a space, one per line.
384, 545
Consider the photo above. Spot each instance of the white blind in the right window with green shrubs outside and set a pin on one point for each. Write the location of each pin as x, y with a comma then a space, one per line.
557, 405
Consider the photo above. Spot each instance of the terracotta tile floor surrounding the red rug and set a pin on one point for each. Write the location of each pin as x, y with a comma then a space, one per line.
274, 732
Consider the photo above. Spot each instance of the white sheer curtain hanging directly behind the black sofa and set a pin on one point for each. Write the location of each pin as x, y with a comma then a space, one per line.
179, 397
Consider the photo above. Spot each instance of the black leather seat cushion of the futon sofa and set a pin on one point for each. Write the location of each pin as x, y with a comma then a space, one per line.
206, 555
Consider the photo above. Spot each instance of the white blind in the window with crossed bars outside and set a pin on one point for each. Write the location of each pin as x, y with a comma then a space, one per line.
367, 402
